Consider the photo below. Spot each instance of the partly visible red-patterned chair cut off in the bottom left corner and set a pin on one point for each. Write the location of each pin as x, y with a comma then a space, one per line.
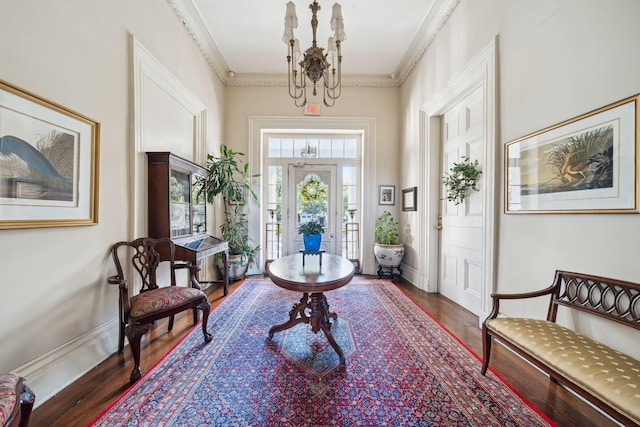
16, 401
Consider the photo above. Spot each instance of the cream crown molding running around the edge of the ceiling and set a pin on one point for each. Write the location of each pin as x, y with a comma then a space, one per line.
188, 14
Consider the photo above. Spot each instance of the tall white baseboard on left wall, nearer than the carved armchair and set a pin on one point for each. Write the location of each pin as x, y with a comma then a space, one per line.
53, 371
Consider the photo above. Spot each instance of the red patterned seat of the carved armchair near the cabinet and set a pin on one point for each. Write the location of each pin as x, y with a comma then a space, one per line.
164, 298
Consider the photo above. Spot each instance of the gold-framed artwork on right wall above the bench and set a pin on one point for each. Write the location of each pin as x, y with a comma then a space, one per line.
583, 165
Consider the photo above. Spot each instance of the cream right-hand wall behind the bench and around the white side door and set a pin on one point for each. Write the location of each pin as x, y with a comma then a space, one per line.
557, 59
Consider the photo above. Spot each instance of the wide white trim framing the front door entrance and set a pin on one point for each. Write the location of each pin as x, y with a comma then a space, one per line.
259, 125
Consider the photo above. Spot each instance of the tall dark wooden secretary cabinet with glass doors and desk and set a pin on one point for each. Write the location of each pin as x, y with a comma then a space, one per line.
177, 208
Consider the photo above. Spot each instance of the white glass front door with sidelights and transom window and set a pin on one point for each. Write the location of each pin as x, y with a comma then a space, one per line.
311, 177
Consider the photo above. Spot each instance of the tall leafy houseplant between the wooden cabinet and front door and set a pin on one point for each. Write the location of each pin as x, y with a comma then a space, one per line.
228, 175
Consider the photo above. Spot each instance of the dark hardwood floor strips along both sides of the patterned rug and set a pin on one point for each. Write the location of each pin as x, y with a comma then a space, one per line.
81, 402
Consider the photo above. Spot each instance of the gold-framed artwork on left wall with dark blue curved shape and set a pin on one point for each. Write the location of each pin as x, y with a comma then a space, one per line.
49, 163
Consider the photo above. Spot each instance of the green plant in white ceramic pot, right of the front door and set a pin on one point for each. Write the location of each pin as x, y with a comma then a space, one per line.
387, 247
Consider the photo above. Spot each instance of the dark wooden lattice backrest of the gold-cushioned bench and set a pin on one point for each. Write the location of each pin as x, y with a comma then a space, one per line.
613, 299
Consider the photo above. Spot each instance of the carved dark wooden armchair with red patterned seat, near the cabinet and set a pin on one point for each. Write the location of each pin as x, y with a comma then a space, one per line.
154, 302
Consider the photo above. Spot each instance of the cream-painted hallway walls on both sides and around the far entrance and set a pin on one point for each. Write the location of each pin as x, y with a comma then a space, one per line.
557, 59
